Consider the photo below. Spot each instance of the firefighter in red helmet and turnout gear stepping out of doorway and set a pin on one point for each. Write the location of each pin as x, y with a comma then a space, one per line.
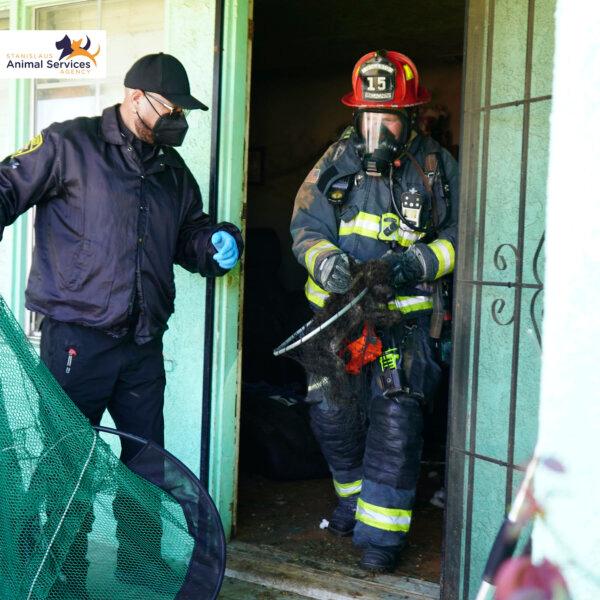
381, 190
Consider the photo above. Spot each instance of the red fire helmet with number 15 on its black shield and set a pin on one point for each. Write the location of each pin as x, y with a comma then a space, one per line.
385, 79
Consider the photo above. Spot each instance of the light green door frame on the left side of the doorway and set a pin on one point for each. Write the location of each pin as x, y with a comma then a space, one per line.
224, 389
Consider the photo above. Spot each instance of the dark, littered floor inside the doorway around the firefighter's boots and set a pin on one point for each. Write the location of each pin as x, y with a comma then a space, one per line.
286, 516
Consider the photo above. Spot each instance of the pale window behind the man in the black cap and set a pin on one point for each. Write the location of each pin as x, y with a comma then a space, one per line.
133, 28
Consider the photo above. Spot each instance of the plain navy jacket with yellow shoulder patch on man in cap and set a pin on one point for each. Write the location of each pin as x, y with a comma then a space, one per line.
109, 226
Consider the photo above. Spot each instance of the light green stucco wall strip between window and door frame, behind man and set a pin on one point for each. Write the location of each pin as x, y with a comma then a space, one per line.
190, 36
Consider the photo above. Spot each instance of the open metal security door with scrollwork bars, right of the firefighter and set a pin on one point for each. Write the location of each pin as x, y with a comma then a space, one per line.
499, 287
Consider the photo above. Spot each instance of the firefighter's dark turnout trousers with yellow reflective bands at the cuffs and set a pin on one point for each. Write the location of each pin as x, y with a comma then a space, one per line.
373, 448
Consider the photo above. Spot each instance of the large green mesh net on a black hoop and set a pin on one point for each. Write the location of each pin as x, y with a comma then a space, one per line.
75, 523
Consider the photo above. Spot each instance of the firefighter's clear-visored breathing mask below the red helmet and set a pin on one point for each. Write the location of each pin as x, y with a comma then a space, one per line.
383, 138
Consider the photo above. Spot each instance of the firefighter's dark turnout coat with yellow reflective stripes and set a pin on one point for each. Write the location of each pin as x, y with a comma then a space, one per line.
366, 215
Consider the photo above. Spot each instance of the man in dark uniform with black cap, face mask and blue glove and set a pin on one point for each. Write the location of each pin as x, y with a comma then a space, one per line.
116, 208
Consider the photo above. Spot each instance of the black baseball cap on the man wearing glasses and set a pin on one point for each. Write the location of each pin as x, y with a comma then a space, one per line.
163, 74
